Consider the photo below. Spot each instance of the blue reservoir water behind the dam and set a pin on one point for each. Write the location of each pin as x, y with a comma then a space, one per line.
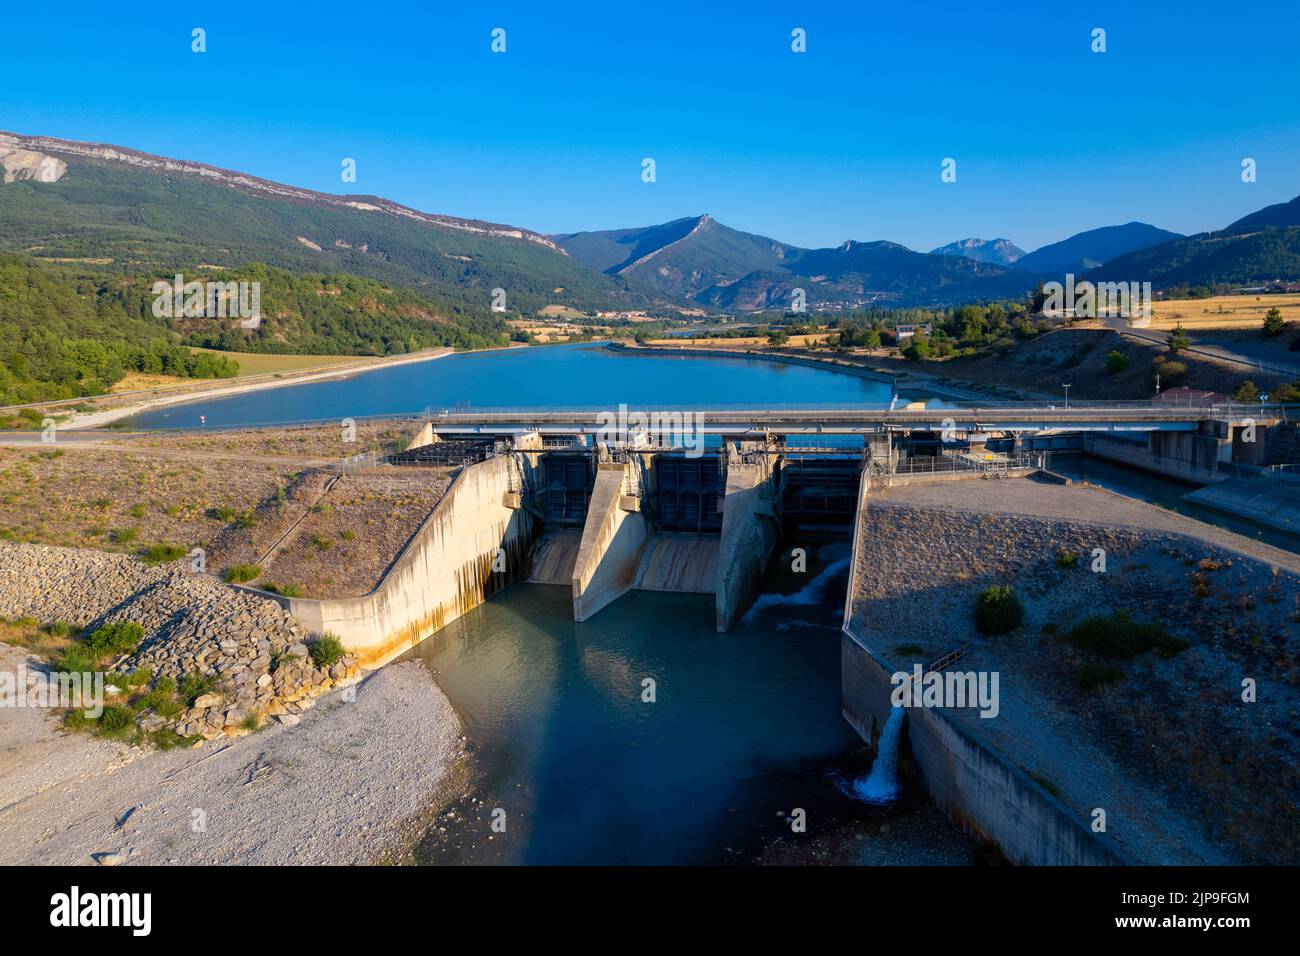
540, 377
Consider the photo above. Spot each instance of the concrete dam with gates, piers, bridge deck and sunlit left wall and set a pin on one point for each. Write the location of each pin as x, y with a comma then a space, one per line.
699, 500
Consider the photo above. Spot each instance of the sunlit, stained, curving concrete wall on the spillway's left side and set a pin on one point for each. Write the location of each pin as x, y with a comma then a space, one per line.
444, 572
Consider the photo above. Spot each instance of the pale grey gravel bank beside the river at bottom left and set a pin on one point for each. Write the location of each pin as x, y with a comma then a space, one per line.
341, 788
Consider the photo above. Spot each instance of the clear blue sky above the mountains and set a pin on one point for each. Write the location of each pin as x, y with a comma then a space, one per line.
844, 141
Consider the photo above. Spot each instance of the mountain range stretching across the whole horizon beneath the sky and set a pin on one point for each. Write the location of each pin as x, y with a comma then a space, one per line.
105, 210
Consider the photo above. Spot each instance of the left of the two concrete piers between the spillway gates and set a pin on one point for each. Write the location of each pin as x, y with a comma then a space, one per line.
614, 540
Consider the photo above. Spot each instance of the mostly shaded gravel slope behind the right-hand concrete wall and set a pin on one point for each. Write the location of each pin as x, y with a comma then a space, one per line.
1185, 769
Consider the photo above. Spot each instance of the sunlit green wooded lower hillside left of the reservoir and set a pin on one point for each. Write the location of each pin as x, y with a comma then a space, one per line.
66, 335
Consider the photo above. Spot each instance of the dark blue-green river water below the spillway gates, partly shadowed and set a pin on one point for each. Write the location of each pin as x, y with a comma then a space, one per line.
744, 729
